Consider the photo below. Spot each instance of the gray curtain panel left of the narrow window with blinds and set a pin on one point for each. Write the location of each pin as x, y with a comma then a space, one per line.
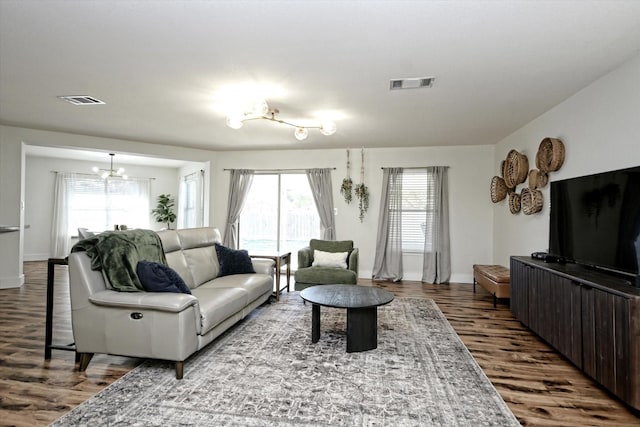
388, 260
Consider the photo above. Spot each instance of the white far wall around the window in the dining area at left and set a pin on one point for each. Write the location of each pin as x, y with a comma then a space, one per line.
39, 185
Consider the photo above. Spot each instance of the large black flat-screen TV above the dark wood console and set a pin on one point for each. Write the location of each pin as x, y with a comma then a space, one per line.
595, 220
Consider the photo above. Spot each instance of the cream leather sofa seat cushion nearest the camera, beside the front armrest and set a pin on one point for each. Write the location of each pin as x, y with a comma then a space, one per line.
217, 304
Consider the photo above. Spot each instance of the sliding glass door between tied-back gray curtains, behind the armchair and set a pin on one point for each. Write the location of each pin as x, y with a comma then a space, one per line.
279, 214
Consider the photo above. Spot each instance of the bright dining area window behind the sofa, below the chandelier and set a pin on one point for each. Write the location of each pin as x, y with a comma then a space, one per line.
99, 204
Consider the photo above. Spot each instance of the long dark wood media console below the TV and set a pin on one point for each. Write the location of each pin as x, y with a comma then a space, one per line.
591, 317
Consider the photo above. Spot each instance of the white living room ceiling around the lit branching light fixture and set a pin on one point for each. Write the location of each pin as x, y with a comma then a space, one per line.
161, 66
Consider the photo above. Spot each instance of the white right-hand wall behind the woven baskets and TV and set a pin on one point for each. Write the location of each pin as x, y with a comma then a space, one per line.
600, 128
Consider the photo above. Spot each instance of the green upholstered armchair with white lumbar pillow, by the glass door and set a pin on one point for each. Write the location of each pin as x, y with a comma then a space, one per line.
310, 275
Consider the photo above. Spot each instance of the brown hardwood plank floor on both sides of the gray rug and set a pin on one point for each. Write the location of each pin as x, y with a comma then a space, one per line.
539, 385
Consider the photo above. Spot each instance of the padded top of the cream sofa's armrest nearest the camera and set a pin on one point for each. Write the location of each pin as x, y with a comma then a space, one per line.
162, 301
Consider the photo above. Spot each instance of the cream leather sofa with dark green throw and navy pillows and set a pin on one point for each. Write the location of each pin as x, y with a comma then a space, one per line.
168, 326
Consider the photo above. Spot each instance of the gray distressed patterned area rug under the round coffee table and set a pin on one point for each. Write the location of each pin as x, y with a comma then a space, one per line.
266, 372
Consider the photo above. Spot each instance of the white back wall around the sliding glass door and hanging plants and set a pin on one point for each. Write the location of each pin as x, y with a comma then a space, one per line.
471, 225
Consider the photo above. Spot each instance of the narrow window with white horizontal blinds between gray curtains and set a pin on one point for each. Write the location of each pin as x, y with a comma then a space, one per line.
417, 210
